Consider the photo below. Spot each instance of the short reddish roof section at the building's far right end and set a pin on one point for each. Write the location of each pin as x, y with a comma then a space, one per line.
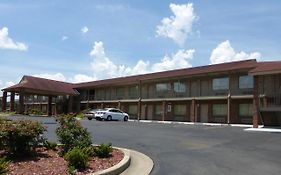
267, 67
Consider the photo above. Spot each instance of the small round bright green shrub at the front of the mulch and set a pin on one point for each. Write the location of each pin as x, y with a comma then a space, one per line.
77, 158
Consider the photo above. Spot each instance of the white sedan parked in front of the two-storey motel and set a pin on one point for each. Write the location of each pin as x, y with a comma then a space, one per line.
111, 114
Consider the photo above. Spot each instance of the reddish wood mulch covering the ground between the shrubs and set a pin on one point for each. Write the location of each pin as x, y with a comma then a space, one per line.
48, 162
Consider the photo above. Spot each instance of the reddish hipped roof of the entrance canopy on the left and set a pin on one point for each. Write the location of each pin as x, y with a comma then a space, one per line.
43, 86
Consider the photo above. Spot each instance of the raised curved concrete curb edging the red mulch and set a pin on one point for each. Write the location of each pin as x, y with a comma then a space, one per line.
120, 167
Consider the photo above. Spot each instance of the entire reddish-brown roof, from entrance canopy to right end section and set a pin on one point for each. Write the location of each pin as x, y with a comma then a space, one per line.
50, 87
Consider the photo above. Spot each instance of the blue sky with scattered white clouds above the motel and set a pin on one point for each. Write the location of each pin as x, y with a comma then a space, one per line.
86, 40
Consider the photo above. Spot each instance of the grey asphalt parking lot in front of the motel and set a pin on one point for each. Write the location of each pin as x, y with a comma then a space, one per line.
190, 149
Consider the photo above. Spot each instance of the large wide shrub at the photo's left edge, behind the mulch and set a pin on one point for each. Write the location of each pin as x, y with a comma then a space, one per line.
20, 137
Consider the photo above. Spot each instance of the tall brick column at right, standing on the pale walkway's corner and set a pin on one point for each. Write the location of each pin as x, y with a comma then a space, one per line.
256, 107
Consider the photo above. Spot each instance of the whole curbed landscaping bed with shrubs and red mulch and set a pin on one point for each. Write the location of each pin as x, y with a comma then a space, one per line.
24, 150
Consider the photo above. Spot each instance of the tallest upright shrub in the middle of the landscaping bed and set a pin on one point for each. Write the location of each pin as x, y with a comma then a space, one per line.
71, 134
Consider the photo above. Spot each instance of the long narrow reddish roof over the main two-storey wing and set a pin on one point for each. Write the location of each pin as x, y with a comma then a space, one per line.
215, 68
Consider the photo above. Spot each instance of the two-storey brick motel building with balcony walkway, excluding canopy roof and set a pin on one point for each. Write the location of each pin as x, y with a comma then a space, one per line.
243, 92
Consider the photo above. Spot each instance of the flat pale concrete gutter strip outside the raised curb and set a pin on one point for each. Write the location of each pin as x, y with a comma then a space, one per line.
140, 164
